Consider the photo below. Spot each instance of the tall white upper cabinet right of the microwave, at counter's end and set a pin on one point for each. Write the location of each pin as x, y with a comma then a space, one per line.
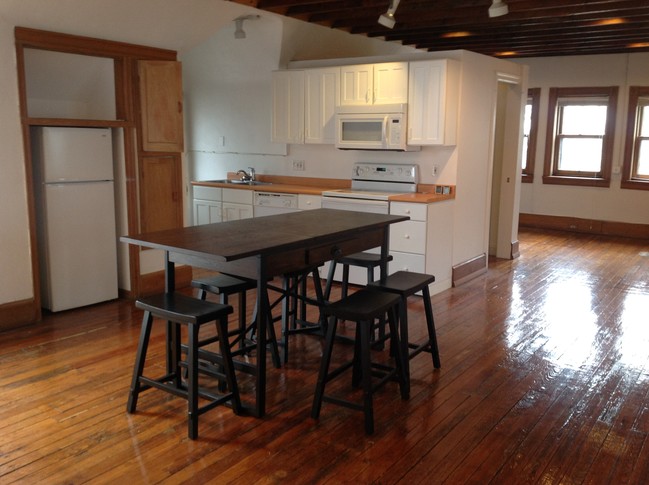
433, 102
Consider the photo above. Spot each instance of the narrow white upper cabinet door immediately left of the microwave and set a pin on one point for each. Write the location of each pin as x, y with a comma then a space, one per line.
321, 97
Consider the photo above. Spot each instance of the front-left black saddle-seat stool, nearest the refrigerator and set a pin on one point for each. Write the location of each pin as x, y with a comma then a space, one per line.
179, 309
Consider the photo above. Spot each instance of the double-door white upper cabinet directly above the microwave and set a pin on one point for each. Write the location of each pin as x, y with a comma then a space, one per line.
366, 84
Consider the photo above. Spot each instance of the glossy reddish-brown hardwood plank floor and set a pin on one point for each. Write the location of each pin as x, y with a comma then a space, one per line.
544, 379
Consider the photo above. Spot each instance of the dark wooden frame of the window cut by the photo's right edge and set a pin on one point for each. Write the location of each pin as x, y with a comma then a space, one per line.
632, 139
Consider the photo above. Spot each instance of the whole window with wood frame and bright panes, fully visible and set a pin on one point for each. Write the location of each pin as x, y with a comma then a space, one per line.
579, 144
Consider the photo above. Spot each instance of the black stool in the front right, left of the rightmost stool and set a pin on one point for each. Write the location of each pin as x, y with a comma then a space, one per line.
363, 307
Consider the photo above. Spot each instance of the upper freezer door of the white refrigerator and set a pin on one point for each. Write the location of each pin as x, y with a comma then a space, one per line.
75, 154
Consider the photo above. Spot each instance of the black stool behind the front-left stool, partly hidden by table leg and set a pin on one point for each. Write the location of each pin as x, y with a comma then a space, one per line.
226, 285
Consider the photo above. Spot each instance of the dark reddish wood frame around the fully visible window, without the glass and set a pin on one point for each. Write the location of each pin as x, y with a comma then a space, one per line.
551, 174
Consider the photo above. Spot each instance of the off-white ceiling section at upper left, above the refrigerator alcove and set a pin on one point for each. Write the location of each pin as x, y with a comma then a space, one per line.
168, 24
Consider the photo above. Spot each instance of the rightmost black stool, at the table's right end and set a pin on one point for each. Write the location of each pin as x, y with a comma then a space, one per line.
405, 284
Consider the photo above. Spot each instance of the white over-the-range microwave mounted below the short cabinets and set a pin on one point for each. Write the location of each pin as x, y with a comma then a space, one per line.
380, 127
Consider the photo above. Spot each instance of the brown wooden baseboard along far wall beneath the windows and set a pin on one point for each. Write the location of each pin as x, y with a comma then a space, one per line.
589, 226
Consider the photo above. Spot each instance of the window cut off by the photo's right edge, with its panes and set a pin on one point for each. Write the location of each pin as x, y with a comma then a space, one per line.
635, 168
